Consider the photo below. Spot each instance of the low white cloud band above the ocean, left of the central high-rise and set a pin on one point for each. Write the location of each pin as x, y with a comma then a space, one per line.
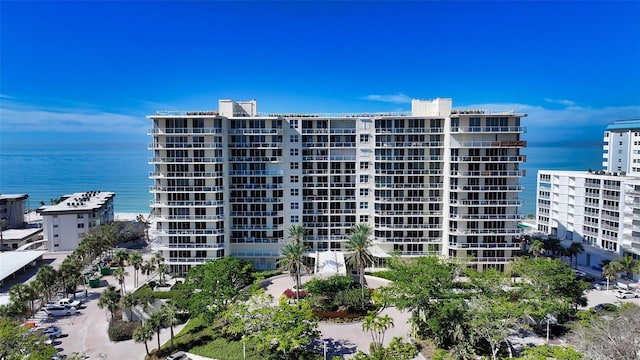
22, 117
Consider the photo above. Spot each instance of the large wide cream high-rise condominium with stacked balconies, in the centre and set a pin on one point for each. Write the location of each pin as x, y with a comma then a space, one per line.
434, 181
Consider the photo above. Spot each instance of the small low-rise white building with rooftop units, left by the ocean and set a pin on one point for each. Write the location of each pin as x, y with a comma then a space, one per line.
65, 222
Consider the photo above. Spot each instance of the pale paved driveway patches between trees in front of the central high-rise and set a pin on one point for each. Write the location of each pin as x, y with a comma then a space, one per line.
345, 339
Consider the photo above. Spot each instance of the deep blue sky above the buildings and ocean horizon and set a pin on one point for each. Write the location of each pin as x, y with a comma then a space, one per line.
100, 67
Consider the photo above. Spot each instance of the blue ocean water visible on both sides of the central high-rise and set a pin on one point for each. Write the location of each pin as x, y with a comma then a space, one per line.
48, 169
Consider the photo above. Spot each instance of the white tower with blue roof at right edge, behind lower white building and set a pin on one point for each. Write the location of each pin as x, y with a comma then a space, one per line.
621, 149
